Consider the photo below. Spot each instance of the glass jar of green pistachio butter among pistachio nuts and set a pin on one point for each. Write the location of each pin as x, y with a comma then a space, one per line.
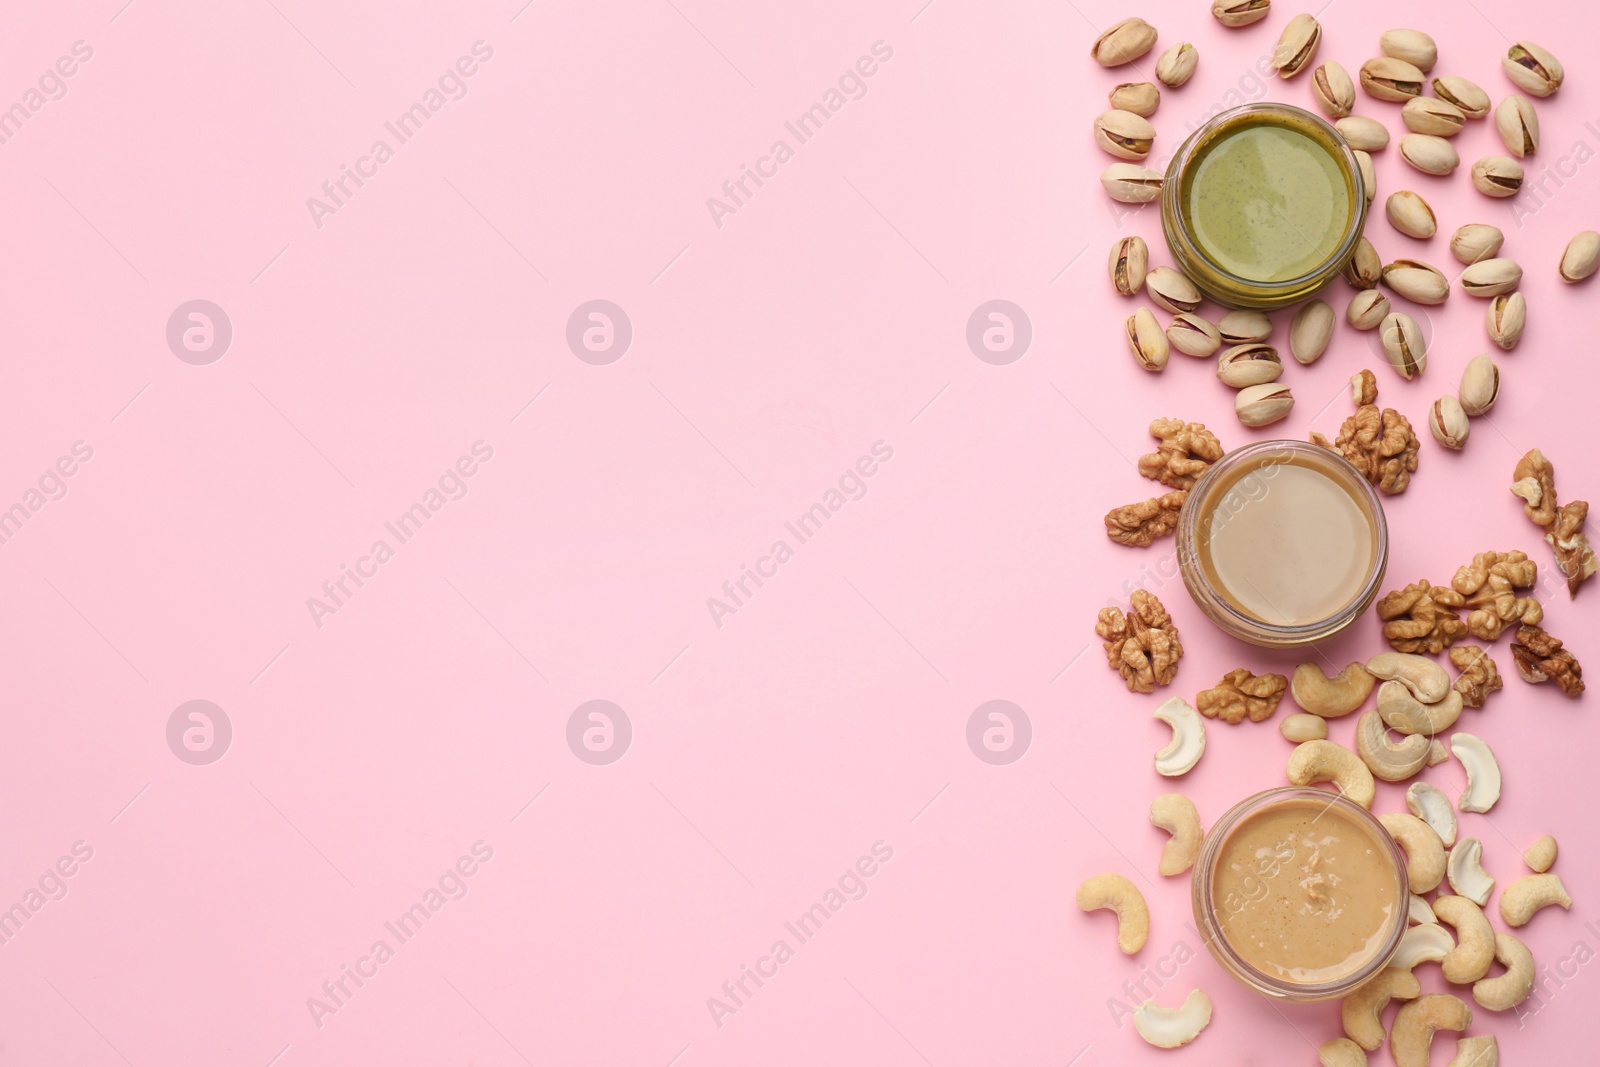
1263, 206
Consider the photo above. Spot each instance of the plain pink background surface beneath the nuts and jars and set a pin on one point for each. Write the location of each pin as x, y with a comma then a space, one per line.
769, 356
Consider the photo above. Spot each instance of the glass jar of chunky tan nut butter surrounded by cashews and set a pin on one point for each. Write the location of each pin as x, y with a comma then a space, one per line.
1223, 914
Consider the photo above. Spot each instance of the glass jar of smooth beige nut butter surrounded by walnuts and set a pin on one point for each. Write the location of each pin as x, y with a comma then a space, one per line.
1282, 543
